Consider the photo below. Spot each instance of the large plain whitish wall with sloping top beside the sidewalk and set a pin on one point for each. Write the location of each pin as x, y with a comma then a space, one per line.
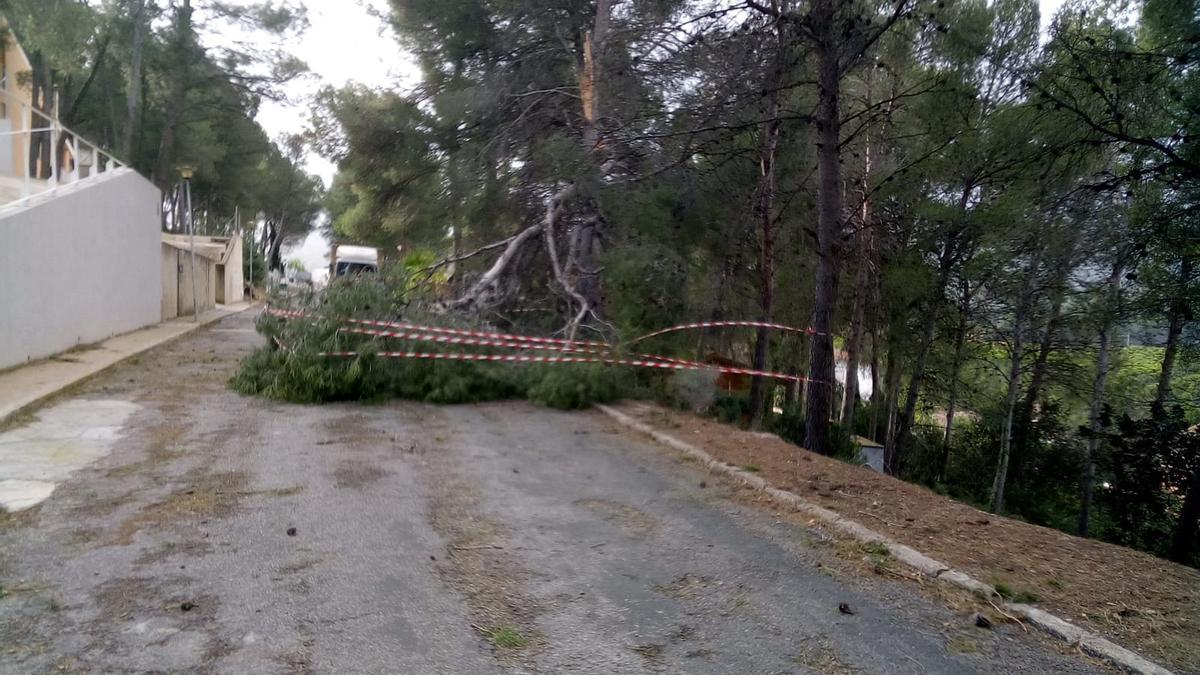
80, 266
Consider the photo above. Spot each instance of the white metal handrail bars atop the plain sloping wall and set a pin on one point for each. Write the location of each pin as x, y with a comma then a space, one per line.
68, 148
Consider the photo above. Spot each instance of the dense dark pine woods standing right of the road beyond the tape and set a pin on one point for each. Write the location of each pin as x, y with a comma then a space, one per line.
997, 224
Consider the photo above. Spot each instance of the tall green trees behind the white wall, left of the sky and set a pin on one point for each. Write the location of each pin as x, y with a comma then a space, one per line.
164, 86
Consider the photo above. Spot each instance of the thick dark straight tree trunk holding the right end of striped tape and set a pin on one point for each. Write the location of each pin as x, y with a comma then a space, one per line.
829, 123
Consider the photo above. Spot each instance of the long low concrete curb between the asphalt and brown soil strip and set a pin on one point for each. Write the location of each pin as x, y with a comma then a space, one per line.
1061, 629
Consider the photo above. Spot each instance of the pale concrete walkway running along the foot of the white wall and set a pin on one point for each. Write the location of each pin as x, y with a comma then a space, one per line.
28, 385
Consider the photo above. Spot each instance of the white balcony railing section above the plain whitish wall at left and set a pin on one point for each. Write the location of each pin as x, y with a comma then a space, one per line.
39, 153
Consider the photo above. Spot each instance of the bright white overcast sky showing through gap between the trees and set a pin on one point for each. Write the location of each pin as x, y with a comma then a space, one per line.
346, 44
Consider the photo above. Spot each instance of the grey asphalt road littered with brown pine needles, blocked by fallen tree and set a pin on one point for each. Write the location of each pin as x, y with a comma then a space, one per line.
495, 539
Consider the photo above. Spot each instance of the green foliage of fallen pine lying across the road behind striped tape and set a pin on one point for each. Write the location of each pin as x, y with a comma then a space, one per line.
292, 368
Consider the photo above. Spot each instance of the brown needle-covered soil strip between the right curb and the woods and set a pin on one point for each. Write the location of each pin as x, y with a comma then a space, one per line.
1148, 605
